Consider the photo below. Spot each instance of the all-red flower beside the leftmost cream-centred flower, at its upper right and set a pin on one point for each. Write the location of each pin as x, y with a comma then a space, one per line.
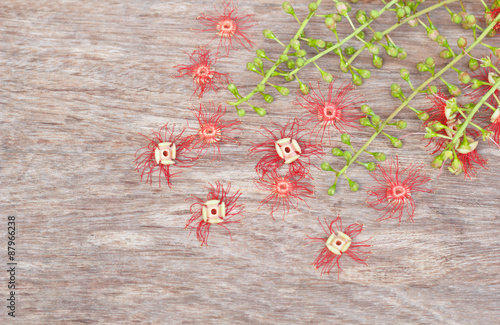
213, 130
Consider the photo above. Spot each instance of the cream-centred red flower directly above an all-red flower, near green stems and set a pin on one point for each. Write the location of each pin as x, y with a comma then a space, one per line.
285, 146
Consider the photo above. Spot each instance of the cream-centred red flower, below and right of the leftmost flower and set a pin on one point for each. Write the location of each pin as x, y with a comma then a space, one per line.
219, 208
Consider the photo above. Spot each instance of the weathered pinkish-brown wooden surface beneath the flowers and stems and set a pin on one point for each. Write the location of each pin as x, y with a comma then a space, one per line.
80, 79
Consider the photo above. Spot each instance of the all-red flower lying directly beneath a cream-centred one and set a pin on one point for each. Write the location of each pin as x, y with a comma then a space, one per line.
284, 191
